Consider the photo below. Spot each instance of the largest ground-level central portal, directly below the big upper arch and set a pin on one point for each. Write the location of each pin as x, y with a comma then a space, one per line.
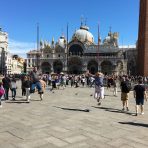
75, 65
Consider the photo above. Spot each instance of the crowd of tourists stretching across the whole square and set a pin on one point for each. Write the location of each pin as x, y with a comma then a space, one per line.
36, 82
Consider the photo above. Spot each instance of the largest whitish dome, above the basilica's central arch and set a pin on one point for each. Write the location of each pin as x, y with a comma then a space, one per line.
84, 35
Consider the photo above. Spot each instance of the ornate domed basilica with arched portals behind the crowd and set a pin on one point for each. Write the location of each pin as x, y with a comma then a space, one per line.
82, 54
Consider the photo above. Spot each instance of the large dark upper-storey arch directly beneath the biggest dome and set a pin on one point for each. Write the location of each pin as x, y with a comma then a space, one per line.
76, 50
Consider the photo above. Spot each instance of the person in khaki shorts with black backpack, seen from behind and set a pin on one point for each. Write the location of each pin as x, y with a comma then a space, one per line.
125, 89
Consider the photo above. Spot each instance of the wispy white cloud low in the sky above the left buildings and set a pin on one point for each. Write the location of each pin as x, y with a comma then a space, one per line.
20, 48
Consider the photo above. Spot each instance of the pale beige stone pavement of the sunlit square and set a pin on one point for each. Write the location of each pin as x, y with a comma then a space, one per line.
52, 123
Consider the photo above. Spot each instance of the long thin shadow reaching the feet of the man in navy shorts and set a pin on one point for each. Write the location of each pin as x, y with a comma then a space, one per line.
113, 110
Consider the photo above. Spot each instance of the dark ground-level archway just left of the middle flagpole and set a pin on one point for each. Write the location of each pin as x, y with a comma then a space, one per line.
57, 66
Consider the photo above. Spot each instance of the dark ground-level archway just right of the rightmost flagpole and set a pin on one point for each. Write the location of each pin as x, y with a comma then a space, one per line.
107, 67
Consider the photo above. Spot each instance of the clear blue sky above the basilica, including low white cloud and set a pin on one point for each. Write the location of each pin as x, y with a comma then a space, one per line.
20, 17
